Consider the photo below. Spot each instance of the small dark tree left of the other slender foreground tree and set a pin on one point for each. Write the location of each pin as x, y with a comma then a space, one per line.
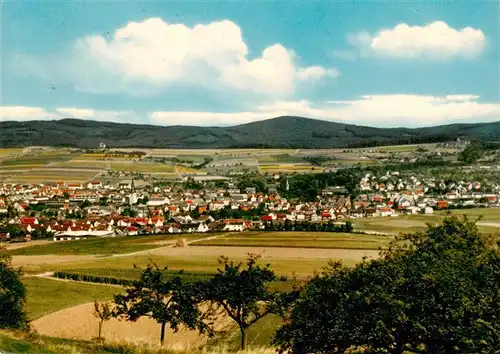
166, 300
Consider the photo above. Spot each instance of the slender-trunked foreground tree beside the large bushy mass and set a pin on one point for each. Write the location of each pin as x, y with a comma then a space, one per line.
241, 292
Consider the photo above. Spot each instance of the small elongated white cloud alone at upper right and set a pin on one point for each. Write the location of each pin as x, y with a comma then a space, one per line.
436, 40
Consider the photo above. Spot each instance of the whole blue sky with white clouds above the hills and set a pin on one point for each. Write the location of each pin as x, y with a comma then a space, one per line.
226, 63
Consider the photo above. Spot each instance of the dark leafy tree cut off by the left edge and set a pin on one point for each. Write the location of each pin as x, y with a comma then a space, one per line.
12, 295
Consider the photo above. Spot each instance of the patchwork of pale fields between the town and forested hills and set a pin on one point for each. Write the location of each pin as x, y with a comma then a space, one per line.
38, 165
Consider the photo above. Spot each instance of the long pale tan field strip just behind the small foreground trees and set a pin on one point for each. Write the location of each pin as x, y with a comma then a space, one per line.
286, 261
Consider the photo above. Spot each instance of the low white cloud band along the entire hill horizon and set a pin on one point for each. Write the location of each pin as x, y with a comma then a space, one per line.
392, 110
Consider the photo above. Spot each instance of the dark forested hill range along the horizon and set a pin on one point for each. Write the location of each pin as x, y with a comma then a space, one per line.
281, 132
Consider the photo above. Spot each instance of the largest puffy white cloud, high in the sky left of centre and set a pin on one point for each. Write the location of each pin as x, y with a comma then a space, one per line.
156, 54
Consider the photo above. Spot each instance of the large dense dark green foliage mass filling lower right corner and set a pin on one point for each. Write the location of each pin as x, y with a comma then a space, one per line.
433, 292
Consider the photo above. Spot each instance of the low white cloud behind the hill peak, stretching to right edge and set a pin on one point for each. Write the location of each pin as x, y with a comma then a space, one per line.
378, 110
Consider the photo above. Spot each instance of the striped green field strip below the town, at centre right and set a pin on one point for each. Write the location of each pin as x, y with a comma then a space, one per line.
300, 239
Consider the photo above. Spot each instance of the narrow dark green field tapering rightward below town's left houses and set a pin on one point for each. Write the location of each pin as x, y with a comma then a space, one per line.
100, 245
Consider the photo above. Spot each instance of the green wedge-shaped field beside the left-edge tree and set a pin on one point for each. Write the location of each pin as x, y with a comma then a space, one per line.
45, 296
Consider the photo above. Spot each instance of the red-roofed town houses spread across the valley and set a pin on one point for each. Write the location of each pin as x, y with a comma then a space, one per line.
107, 209
